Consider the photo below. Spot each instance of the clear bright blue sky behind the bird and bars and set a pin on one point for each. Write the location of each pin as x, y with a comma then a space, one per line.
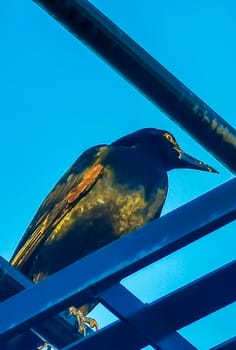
58, 98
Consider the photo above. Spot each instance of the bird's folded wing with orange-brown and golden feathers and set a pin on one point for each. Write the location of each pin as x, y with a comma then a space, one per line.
76, 182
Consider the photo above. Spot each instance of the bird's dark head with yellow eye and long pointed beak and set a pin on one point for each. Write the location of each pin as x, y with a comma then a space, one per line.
163, 145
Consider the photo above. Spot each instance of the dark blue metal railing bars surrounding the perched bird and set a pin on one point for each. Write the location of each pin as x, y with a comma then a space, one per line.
34, 312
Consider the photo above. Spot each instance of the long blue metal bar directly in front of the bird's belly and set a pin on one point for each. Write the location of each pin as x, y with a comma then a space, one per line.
126, 255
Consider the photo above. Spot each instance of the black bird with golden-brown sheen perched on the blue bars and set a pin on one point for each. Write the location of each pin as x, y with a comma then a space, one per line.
109, 191
